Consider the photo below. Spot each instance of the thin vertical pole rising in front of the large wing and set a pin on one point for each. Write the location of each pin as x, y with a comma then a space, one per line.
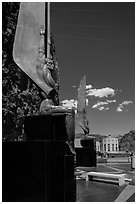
48, 30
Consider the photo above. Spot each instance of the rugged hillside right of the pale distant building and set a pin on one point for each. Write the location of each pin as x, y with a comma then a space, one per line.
127, 142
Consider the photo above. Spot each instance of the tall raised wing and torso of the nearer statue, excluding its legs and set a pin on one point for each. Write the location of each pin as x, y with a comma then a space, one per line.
30, 49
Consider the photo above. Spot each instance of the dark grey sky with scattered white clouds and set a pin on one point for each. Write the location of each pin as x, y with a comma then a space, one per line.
97, 40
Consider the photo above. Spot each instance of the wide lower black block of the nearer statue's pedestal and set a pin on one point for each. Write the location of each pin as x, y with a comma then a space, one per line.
37, 171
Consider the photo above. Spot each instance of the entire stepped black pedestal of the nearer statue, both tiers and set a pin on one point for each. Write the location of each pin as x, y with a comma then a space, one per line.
42, 167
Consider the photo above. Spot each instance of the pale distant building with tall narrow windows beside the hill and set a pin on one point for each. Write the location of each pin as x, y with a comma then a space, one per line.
110, 144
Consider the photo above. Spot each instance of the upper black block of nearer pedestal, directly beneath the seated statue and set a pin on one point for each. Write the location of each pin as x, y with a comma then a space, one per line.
45, 127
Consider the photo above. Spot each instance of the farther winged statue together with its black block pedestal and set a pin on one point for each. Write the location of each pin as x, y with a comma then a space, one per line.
86, 154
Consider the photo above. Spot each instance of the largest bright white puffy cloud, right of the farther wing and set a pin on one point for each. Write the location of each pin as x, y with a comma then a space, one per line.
100, 93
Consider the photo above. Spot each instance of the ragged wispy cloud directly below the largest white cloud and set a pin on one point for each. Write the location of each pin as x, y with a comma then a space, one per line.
101, 105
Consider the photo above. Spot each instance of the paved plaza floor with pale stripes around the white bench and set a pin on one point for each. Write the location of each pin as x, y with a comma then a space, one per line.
96, 191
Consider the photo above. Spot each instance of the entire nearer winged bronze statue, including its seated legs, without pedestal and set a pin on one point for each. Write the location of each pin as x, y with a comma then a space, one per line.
34, 53
